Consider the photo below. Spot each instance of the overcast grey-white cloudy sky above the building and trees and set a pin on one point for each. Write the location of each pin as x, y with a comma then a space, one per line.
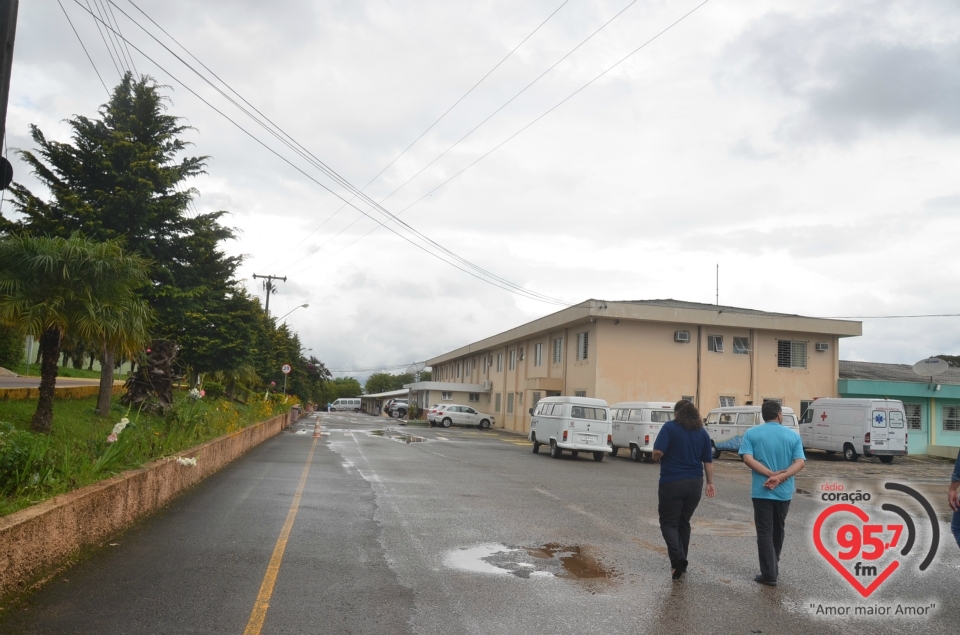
808, 148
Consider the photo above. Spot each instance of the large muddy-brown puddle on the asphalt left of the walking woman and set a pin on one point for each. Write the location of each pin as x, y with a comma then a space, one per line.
549, 561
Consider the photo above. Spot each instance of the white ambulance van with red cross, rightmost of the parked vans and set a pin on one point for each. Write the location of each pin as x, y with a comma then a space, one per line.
872, 427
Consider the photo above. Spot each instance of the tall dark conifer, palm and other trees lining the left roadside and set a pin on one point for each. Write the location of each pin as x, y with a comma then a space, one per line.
112, 256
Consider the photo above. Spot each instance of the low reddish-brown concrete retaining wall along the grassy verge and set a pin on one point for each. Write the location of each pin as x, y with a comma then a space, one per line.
37, 541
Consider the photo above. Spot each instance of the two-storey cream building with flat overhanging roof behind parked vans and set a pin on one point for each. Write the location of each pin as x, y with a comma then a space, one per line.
651, 350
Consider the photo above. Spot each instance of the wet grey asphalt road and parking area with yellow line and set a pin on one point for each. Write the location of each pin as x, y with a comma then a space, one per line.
466, 531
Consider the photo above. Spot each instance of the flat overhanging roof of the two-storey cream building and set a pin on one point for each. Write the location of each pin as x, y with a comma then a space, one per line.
667, 310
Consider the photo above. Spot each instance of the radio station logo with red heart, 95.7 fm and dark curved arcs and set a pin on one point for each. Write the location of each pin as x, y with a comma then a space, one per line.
867, 547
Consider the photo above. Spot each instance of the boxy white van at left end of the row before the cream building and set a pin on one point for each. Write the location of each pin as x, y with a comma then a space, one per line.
577, 424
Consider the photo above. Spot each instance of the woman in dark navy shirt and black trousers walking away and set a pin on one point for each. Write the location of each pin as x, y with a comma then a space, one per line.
683, 450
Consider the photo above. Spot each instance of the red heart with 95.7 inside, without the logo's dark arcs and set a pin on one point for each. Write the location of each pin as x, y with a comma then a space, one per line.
863, 542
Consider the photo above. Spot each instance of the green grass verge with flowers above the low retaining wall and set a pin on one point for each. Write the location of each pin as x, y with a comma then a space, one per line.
35, 467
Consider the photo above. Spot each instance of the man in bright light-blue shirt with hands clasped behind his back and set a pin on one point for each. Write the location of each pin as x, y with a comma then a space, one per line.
775, 454
